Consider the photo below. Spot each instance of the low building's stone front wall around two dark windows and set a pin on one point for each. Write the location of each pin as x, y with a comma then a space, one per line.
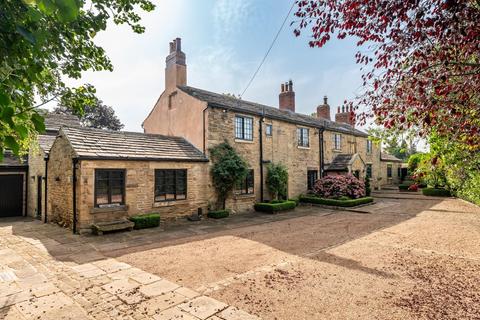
139, 191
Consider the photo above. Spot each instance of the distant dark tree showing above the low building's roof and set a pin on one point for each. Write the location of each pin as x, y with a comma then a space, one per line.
98, 116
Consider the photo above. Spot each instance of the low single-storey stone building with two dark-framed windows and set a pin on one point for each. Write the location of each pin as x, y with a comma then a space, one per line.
97, 176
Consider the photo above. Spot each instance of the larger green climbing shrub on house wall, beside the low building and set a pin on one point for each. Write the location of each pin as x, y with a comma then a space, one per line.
227, 170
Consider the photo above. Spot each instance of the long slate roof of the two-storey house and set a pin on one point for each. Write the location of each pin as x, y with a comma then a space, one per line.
223, 101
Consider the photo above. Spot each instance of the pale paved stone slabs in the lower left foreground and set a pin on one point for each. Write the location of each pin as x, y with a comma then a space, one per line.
47, 273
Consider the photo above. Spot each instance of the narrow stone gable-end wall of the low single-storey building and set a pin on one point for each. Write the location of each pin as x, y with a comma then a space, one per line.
60, 194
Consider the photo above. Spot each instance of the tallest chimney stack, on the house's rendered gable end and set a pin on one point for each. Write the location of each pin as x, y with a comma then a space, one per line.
176, 67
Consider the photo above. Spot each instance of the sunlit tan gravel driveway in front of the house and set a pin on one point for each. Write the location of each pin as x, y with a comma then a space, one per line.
406, 257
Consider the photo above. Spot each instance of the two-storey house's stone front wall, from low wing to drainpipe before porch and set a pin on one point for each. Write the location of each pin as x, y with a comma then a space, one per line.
281, 147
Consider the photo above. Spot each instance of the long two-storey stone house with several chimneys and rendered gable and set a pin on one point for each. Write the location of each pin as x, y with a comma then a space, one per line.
309, 146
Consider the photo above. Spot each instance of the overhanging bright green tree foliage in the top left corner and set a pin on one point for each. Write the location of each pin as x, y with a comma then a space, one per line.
43, 43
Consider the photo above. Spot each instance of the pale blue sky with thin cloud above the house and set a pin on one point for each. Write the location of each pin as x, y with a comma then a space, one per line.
224, 41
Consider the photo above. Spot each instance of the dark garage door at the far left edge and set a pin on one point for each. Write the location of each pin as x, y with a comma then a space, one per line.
11, 195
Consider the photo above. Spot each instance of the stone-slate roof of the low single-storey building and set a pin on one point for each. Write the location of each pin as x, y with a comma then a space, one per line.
103, 144
